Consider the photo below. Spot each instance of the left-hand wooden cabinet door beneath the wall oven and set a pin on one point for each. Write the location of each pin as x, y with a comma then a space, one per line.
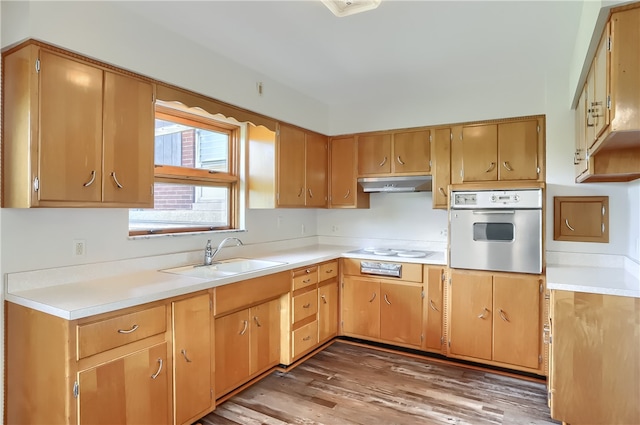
471, 316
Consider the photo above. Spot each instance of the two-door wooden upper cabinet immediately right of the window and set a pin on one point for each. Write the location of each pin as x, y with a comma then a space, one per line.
288, 168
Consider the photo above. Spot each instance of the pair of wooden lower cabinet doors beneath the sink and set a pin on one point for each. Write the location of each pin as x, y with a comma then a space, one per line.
247, 343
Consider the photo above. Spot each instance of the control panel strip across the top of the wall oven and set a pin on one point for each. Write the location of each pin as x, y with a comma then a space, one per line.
484, 199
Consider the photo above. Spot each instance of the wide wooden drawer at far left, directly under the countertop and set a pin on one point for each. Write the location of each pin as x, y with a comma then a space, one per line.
106, 334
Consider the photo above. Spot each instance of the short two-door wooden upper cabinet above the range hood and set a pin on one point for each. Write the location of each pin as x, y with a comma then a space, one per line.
399, 152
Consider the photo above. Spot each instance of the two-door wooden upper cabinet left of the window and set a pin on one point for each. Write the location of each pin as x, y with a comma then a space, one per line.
75, 134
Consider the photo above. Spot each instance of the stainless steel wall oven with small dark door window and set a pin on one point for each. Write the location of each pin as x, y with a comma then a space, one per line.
496, 230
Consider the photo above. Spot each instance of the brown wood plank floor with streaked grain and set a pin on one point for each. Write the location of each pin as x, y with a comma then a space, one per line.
347, 384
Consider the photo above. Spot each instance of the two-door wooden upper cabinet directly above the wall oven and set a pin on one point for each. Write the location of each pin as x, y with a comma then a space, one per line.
508, 150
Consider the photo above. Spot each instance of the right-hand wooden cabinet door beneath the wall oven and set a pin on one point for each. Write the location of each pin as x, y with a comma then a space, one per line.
516, 320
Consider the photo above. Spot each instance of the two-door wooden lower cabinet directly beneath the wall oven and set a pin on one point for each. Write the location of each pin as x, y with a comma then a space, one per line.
496, 318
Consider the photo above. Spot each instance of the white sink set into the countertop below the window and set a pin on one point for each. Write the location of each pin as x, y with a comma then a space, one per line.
224, 268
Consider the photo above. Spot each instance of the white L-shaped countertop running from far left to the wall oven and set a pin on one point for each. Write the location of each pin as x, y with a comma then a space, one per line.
82, 291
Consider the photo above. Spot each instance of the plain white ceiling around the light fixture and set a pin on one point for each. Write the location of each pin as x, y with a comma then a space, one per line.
400, 47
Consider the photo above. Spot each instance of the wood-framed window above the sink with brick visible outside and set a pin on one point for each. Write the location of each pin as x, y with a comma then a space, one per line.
196, 175
